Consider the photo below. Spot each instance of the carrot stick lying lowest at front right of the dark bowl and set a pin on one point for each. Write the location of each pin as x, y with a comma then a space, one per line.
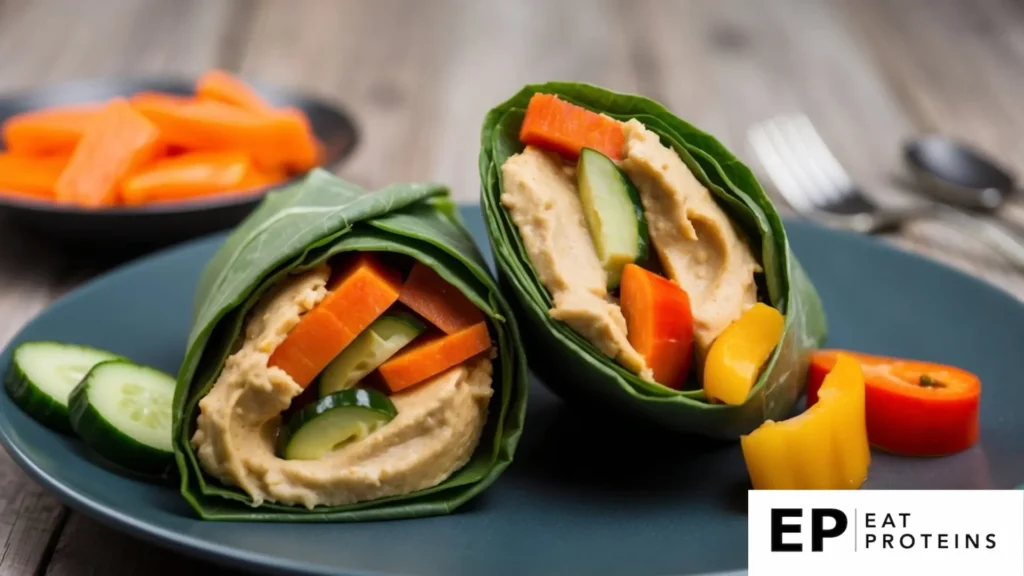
189, 176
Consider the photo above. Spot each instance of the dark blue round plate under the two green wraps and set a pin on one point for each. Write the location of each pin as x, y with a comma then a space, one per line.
584, 497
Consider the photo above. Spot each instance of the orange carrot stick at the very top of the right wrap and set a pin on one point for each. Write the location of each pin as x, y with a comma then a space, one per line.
567, 129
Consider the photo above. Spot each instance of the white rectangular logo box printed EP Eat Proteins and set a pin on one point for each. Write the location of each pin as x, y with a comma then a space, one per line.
886, 532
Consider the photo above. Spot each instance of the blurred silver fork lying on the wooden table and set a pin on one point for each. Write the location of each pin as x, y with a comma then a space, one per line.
816, 185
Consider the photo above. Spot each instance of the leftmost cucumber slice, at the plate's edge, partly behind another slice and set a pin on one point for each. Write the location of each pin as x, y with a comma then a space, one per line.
42, 376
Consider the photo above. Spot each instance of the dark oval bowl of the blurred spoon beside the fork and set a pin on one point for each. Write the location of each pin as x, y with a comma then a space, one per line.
957, 175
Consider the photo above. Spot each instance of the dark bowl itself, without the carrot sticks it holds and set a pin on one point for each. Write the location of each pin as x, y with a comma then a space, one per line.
166, 224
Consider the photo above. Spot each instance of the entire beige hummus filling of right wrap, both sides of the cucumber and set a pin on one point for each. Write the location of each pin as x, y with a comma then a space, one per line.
697, 243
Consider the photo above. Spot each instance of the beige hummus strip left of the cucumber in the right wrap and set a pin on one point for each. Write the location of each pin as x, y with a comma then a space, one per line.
544, 203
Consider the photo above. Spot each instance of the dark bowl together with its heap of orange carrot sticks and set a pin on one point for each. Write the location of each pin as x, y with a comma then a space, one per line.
154, 161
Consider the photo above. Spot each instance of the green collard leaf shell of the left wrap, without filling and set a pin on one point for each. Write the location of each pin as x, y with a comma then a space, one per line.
294, 230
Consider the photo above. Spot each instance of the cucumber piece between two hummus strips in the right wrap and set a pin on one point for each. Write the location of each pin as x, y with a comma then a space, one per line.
614, 213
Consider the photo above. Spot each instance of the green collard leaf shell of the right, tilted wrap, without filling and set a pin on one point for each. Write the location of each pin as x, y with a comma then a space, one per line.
576, 369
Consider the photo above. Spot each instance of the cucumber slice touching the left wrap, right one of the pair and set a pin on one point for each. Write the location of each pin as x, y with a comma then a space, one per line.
122, 412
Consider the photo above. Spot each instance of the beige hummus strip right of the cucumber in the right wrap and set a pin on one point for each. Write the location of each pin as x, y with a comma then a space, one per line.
698, 244
